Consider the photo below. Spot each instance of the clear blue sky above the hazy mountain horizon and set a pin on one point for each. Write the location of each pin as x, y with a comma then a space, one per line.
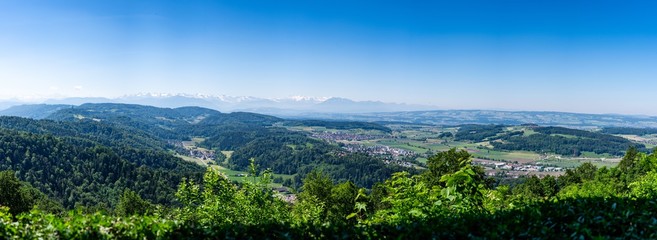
582, 56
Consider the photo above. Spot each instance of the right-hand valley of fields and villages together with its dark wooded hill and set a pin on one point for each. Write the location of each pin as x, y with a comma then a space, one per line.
498, 142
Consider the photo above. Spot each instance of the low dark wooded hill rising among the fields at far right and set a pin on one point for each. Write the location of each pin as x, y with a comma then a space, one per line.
569, 142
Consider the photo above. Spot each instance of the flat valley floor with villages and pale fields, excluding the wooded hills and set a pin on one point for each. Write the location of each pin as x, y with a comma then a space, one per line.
410, 145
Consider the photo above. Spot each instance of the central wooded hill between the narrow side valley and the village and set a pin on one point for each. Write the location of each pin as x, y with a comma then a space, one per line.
272, 150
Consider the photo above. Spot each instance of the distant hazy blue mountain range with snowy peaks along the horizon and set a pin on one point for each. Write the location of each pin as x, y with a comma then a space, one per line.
342, 109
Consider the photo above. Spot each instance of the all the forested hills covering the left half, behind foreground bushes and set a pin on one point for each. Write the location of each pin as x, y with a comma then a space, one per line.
88, 155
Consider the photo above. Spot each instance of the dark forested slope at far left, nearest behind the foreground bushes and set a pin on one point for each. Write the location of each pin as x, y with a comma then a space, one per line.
75, 171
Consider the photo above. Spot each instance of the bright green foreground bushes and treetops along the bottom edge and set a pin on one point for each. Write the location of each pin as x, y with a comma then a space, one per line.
452, 199
